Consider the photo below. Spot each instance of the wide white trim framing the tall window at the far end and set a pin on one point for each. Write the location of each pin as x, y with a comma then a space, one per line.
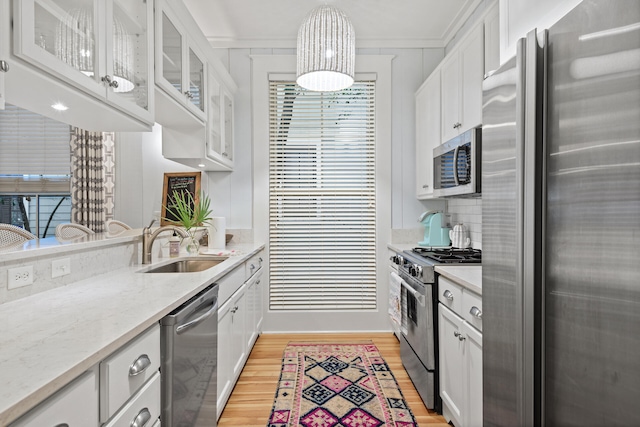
376, 320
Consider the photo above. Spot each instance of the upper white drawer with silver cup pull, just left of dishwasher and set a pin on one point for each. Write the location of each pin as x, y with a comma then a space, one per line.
125, 371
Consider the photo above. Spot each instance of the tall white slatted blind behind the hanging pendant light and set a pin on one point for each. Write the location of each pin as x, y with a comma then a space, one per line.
322, 195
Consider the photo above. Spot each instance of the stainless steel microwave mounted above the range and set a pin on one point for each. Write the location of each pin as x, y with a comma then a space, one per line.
456, 165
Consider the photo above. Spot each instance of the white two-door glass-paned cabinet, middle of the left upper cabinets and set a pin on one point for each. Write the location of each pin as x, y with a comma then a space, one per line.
180, 65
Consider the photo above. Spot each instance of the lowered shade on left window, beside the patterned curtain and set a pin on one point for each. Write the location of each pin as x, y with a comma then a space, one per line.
31, 144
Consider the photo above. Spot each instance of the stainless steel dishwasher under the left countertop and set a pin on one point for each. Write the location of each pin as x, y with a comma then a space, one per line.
189, 342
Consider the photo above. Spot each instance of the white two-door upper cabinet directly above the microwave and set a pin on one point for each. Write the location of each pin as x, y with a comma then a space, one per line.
462, 73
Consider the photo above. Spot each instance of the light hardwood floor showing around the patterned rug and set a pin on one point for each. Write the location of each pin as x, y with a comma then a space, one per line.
251, 400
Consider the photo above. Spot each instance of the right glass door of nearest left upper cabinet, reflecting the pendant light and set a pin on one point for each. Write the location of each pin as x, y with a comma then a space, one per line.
129, 54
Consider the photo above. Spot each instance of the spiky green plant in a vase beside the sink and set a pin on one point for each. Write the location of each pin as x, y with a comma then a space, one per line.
190, 213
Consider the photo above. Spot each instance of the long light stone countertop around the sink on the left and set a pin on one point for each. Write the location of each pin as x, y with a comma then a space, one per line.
50, 338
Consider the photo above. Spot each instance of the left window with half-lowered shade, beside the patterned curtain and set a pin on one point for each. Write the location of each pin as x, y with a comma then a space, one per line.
34, 171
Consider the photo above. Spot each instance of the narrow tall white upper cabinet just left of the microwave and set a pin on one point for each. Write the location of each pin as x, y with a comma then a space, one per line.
427, 133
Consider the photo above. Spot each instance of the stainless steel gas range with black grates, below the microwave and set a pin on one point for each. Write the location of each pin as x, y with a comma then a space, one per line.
419, 302
